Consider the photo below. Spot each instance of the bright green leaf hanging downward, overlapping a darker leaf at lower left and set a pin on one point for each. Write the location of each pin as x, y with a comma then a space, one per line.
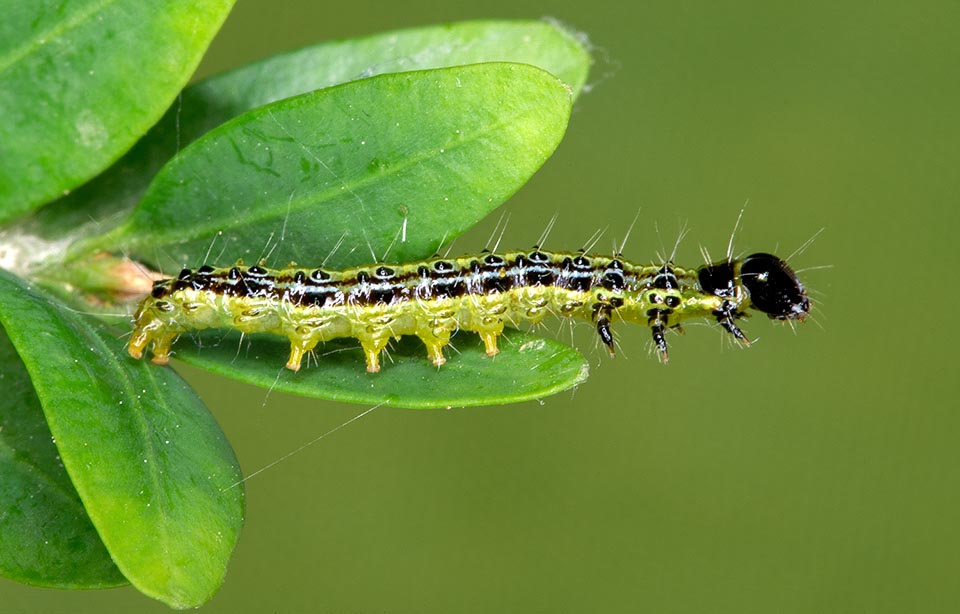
152, 467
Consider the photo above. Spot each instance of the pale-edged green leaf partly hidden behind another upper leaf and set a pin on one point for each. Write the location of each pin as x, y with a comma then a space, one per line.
209, 103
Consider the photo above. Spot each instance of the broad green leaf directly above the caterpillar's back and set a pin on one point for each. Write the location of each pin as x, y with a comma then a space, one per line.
398, 159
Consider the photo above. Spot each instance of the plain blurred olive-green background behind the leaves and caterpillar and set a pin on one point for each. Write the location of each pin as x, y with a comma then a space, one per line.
814, 472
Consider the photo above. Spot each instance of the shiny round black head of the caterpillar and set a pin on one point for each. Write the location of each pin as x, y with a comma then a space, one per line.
773, 287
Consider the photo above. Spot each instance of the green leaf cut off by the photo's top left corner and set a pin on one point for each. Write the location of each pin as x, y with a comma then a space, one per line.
82, 81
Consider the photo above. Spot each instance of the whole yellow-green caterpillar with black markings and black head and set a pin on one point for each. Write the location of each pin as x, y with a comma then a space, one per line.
434, 298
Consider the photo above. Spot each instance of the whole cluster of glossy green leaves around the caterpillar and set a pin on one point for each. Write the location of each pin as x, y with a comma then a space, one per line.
113, 470
